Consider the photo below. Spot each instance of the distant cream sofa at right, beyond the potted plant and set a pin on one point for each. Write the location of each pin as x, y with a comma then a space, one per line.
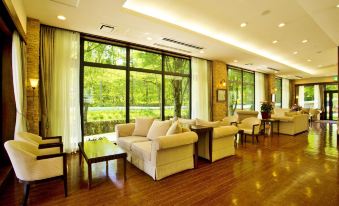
291, 123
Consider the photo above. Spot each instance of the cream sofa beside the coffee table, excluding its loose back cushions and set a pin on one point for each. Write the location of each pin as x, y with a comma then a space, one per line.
161, 156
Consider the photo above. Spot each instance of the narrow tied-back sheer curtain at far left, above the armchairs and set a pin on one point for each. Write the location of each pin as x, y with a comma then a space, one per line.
18, 82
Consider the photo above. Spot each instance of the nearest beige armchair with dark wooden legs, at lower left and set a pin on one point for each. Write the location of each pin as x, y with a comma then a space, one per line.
32, 165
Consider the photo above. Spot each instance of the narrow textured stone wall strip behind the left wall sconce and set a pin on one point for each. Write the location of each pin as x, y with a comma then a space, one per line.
33, 42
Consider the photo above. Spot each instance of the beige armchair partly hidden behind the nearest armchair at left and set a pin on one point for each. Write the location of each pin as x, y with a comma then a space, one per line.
49, 144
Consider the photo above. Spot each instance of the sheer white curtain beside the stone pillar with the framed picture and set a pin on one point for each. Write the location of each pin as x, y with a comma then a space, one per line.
200, 95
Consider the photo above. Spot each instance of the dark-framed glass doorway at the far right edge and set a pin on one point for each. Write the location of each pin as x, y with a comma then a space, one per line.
331, 105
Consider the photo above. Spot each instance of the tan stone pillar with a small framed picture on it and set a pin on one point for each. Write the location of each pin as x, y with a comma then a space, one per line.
219, 73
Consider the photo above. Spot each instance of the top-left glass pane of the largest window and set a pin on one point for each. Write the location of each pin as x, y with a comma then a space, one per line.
104, 53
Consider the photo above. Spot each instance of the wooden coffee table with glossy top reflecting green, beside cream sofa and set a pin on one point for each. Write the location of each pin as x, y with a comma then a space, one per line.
100, 151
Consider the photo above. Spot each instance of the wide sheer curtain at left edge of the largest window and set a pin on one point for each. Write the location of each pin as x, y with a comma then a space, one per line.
64, 105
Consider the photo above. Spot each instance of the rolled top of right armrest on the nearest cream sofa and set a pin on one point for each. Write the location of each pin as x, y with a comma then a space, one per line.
175, 140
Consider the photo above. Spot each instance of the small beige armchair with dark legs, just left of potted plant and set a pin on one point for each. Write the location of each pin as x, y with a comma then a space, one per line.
251, 126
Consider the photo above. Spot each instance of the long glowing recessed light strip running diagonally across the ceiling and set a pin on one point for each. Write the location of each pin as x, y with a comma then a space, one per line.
167, 16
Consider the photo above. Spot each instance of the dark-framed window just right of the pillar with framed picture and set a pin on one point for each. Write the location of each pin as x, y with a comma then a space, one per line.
240, 90
